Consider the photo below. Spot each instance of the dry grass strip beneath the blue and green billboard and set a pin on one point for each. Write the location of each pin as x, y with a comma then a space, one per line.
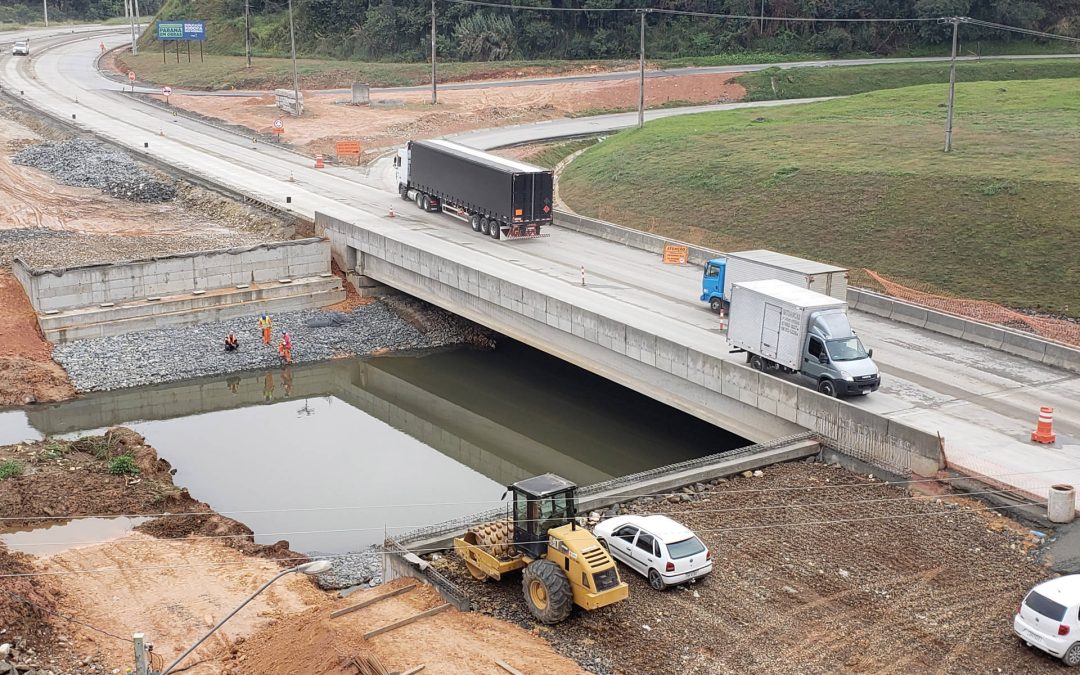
223, 73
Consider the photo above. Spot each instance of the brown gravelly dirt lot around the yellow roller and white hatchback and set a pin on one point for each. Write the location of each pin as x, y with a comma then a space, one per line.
816, 571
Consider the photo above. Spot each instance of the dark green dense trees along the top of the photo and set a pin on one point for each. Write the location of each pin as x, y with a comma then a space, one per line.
379, 31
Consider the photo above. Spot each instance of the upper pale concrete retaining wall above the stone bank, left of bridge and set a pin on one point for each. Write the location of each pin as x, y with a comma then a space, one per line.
64, 289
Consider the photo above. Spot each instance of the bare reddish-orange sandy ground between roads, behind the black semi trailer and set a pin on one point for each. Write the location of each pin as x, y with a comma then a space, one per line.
396, 118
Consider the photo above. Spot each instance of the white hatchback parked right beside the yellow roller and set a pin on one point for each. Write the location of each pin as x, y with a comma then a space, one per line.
656, 546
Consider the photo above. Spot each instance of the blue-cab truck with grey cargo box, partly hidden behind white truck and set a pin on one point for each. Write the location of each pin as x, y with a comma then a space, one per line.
721, 274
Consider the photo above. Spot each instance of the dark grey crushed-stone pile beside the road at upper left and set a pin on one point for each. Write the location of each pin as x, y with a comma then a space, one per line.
87, 164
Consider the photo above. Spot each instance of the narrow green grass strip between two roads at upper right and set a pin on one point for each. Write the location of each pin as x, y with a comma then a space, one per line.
847, 80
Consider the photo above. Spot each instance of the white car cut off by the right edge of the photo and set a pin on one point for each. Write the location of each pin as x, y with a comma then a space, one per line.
1049, 618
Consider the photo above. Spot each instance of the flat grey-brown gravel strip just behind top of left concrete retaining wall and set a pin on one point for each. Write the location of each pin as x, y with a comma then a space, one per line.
45, 249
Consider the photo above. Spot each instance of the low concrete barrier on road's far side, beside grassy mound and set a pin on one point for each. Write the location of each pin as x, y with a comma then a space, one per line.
989, 335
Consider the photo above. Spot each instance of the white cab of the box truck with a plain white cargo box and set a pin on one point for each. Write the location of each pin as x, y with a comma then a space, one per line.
835, 358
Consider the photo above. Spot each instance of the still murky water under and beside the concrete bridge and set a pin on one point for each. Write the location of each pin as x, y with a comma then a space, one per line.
333, 456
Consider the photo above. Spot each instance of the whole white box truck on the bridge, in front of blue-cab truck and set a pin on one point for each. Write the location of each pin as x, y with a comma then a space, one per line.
793, 330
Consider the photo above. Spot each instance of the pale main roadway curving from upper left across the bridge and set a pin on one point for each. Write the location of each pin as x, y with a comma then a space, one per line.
983, 402
